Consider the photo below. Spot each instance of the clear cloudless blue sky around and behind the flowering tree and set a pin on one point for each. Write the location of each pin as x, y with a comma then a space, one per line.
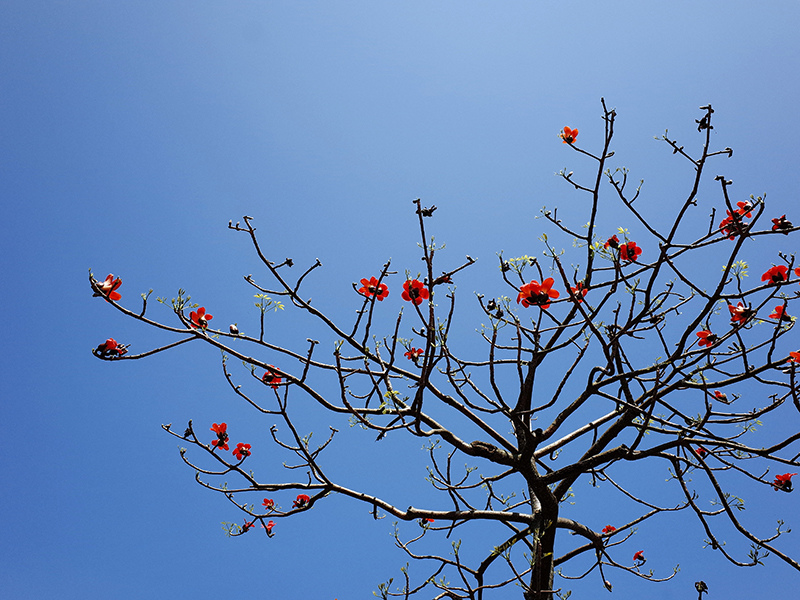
131, 132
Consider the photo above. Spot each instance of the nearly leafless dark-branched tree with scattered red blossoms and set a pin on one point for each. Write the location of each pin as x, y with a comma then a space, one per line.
627, 363
